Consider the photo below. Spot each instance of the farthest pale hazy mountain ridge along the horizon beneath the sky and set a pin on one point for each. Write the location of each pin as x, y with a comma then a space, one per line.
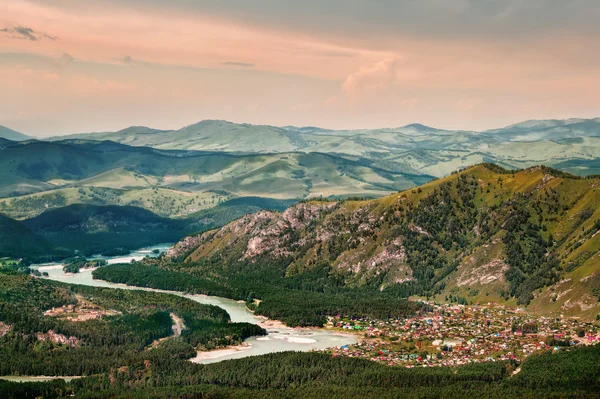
414, 148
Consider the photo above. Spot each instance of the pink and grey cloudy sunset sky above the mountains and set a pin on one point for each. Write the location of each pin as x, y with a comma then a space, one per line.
70, 66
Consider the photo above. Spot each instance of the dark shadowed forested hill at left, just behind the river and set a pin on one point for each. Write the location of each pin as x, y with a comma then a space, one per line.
87, 229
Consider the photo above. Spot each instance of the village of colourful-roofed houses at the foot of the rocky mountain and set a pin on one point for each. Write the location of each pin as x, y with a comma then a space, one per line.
451, 335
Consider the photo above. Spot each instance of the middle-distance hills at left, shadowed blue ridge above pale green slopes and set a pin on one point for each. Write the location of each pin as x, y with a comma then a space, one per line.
43, 175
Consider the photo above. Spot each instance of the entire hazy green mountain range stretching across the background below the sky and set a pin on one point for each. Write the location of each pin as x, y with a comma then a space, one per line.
174, 173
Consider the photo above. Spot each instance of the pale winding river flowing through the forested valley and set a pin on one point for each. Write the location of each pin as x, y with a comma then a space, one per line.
279, 339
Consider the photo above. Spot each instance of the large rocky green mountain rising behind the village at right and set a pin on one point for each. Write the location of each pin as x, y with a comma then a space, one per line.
526, 237
